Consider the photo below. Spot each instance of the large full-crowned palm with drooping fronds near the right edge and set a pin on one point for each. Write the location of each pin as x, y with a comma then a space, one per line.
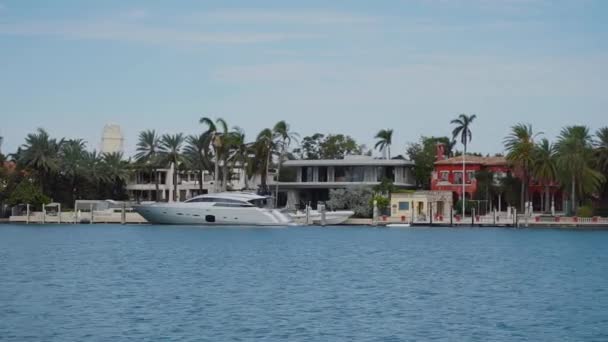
574, 158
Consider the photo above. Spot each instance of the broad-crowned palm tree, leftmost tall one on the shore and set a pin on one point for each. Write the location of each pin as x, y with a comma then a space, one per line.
41, 154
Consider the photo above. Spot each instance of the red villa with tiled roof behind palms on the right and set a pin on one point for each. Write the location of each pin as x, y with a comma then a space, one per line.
448, 176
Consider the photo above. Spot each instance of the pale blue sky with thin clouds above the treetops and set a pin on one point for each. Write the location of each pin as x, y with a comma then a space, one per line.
351, 67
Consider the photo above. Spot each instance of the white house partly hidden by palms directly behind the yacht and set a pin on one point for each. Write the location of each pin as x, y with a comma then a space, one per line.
142, 185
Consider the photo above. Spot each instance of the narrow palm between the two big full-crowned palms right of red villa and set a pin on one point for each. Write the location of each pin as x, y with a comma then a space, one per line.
544, 168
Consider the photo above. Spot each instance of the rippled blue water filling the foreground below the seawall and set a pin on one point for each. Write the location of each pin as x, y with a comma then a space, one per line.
115, 283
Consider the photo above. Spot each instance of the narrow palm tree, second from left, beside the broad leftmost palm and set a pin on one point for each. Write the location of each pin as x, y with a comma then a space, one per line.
73, 163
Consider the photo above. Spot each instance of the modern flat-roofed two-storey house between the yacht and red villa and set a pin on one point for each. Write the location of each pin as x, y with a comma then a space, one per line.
314, 178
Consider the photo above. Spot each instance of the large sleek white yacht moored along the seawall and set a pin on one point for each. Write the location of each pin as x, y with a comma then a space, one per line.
225, 208
